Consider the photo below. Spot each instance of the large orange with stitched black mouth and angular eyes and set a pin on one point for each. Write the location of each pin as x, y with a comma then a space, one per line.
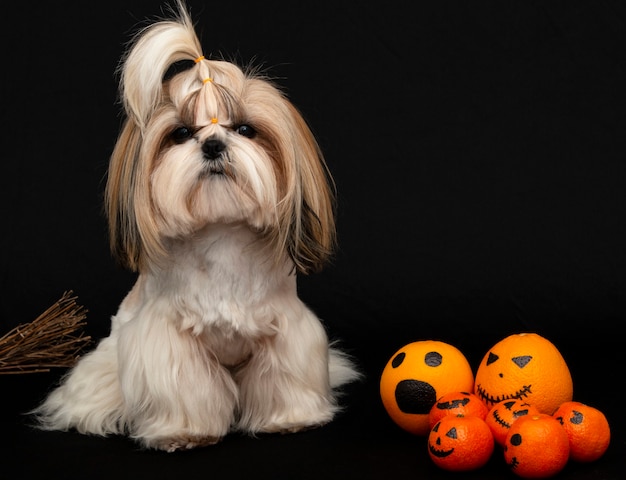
528, 367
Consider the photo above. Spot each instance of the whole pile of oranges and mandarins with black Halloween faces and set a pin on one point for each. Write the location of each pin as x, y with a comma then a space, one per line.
520, 403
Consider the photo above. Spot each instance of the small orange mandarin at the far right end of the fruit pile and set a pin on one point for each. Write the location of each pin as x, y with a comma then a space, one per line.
587, 428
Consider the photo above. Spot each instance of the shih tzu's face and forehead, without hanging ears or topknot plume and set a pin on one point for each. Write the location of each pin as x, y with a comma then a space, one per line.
214, 152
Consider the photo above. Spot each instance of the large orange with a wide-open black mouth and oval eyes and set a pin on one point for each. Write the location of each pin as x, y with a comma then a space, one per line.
416, 376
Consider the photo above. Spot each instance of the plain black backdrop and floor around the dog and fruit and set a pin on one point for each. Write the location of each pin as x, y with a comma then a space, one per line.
479, 154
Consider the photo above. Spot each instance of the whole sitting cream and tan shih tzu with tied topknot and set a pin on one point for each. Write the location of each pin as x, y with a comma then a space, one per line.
217, 195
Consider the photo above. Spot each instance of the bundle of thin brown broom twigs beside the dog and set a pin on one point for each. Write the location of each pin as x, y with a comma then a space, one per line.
54, 339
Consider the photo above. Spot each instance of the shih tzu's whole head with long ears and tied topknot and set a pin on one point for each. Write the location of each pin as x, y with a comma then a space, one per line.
211, 143
